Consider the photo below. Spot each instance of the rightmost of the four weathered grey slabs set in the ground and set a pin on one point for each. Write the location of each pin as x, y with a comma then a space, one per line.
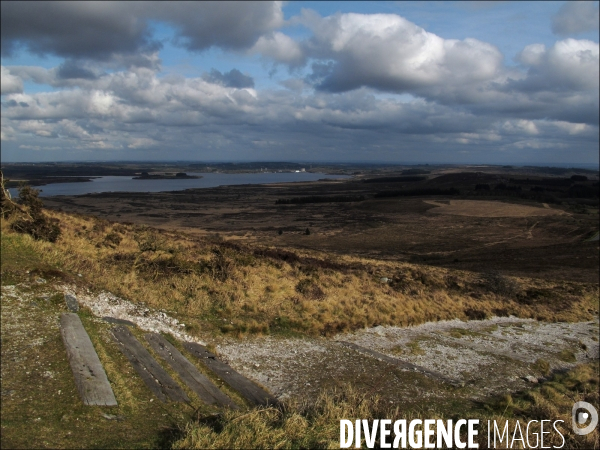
245, 387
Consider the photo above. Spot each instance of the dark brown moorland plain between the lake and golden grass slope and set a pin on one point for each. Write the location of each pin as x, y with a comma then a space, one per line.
521, 221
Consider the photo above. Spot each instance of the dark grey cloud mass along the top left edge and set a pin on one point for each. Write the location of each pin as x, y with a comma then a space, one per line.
102, 30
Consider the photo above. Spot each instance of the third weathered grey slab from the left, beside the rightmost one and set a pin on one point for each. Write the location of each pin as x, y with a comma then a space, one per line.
191, 376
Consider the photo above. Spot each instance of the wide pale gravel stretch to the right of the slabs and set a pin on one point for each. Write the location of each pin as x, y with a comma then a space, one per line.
489, 356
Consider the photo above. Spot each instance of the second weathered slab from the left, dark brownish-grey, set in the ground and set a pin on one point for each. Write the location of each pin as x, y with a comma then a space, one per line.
154, 376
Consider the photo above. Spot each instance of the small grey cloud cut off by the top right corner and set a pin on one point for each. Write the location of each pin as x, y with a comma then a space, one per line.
576, 17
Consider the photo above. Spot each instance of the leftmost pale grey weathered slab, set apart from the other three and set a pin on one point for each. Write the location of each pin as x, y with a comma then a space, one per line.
90, 378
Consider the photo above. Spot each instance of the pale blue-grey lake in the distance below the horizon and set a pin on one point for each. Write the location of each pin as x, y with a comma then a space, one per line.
128, 184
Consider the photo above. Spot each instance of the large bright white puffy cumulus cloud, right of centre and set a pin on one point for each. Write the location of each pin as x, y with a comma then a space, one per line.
388, 52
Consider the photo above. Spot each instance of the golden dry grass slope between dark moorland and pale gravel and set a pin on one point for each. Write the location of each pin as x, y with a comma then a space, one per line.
239, 290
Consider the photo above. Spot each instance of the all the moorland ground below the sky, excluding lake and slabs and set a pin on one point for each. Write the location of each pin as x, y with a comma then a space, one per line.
486, 274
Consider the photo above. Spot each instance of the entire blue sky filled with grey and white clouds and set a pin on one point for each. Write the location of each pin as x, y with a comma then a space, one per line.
399, 82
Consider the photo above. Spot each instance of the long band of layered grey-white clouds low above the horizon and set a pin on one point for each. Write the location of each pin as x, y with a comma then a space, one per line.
136, 111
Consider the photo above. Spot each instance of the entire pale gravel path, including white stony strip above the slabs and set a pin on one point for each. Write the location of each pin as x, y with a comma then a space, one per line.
488, 356
